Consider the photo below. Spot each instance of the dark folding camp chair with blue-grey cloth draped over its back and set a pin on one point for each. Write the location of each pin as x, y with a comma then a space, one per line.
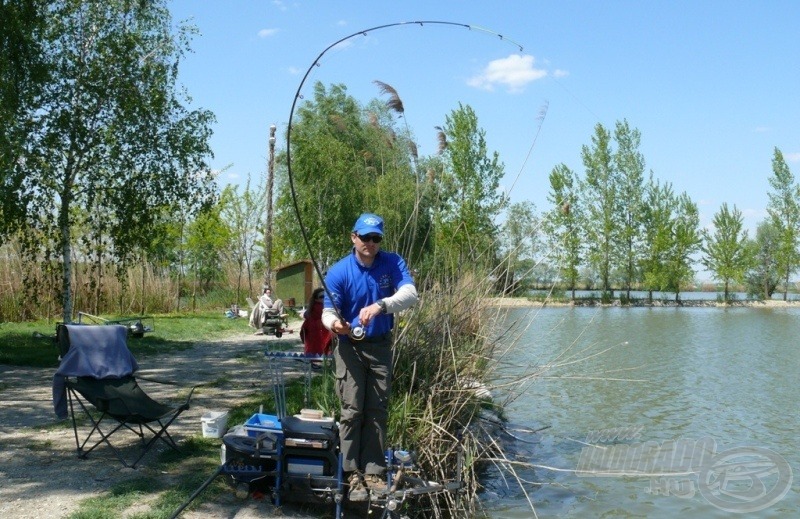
97, 371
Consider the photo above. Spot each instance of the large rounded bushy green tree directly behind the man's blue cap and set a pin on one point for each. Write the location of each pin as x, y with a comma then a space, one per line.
343, 157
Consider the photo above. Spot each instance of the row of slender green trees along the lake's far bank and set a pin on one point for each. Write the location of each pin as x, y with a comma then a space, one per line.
616, 228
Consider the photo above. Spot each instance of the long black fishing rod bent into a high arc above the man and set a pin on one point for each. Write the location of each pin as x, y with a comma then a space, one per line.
298, 96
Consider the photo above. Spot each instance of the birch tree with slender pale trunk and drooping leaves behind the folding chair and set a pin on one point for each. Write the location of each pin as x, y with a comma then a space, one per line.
111, 131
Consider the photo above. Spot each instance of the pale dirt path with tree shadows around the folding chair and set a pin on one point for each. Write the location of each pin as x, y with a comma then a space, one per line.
39, 470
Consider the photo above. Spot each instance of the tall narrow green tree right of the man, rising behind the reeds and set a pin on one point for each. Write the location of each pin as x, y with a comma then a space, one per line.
470, 200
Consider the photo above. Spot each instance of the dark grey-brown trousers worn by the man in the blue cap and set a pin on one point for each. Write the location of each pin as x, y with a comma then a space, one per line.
364, 383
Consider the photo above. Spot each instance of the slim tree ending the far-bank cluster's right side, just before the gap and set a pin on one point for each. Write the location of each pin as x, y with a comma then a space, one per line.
686, 241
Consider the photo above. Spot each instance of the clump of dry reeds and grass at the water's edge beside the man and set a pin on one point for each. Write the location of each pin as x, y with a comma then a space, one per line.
442, 378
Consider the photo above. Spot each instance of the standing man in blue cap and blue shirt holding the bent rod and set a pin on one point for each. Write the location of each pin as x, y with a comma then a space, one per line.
364, 289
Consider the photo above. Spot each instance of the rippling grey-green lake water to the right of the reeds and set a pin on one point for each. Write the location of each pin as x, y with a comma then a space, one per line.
721, 381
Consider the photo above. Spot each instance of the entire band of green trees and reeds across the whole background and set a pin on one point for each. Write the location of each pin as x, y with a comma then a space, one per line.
106, 184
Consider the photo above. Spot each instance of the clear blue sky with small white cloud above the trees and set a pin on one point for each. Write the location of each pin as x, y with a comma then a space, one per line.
713, 86
